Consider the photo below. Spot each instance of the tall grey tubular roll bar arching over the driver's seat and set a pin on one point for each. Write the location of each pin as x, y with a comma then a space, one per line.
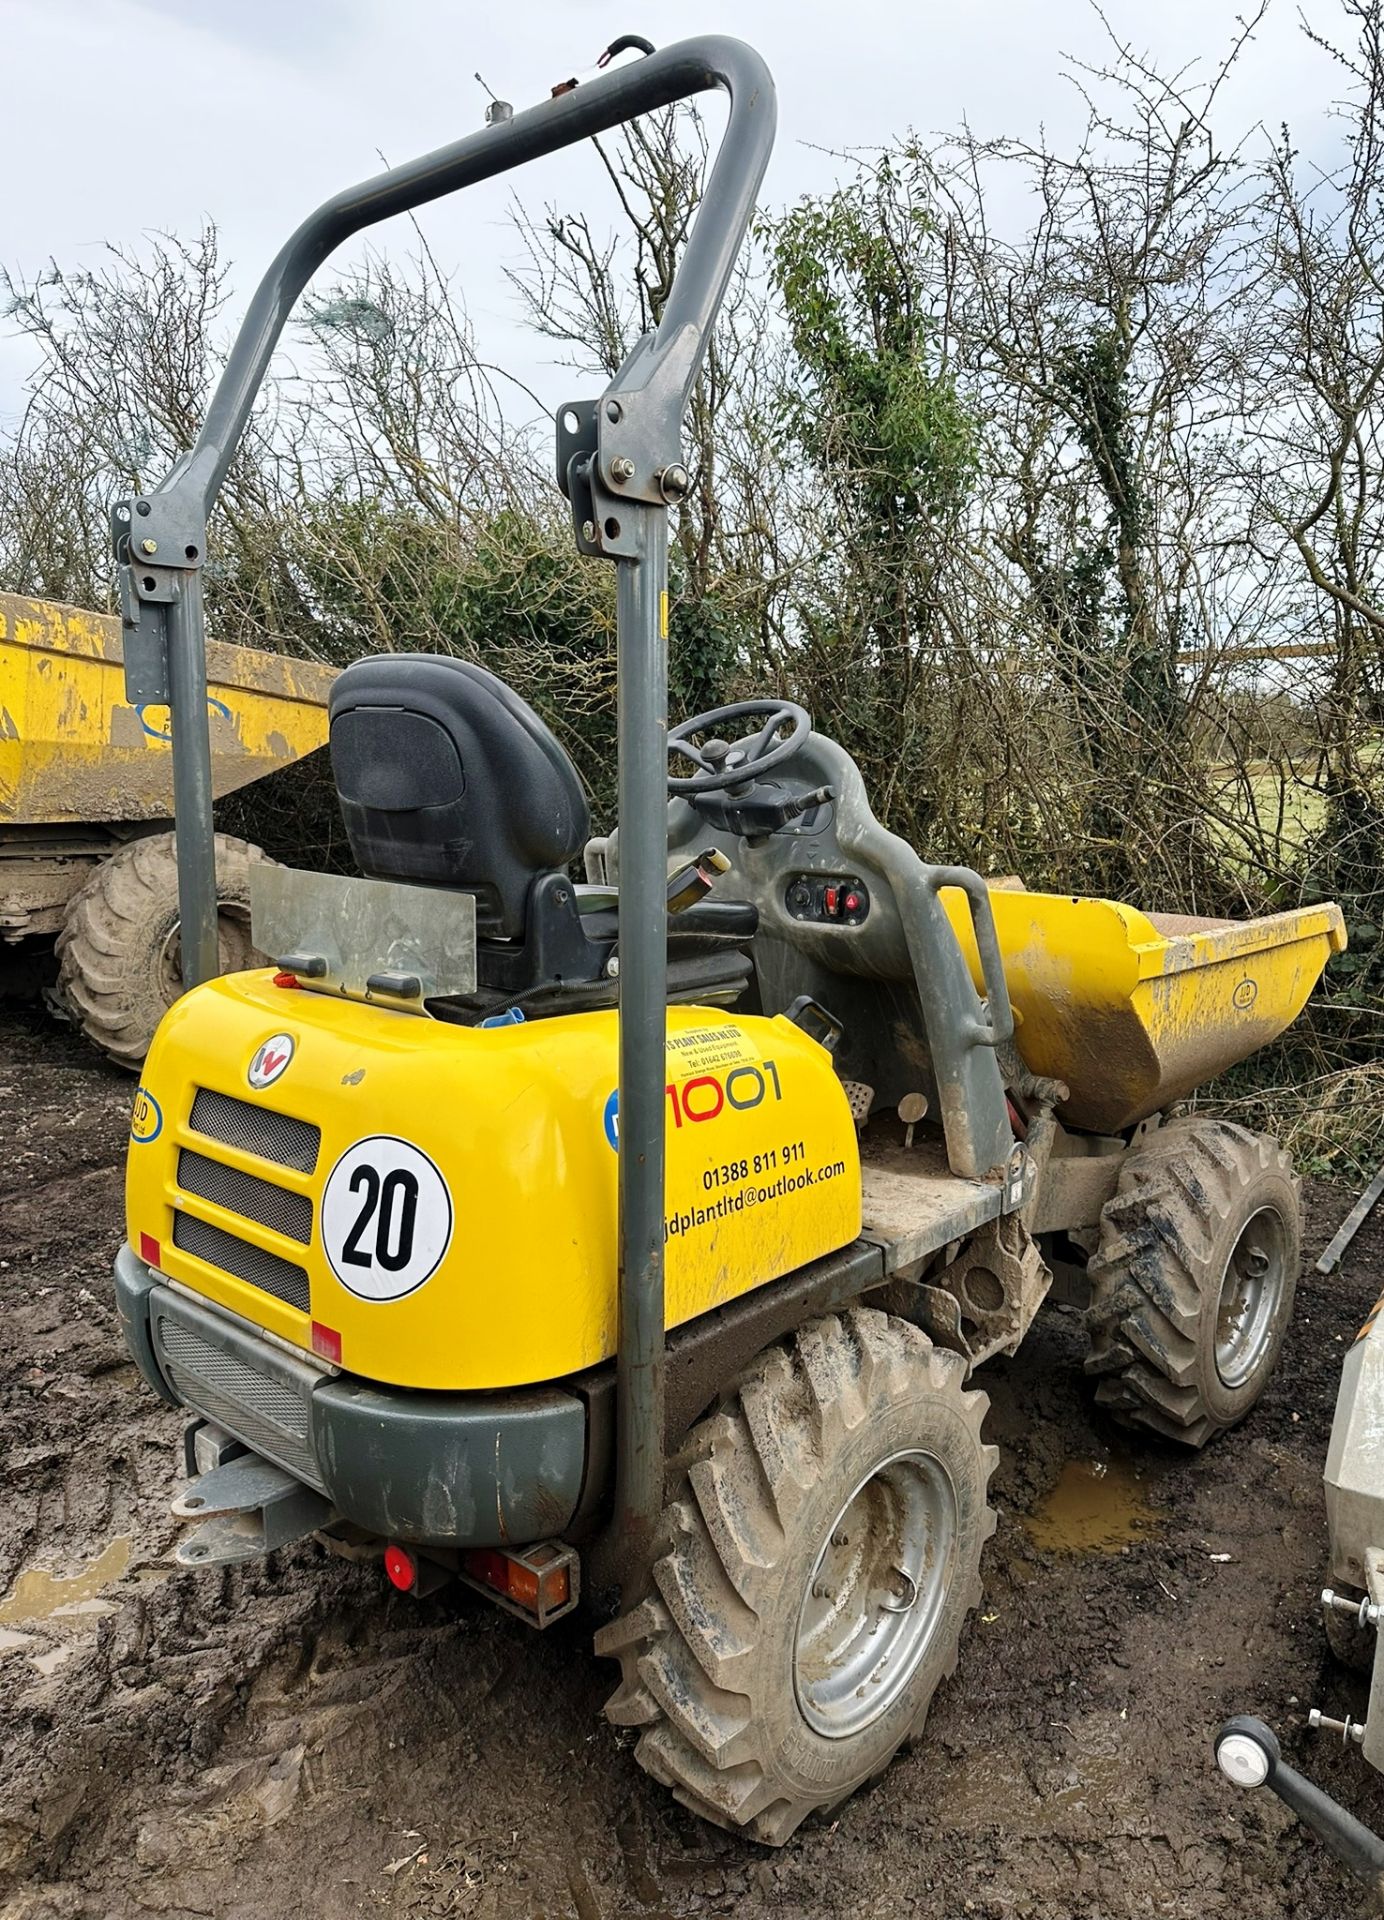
634, 473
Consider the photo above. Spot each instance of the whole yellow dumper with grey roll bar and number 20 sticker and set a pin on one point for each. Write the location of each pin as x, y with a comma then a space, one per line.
642, 1237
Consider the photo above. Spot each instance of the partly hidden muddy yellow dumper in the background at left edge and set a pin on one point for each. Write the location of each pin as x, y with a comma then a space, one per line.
87, 800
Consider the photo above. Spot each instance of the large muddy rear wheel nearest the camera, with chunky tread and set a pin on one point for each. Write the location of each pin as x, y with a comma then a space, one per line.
819, 1558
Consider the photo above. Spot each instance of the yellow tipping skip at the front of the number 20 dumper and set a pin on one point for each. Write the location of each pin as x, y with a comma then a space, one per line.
1133, 1011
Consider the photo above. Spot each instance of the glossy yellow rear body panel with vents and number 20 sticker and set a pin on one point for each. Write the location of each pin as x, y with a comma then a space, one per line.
442, 1199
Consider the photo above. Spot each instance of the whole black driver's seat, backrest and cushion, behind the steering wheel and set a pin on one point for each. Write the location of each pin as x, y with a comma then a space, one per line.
448, 779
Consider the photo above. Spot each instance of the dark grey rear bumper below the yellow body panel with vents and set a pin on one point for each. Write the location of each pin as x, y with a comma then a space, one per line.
425, 1468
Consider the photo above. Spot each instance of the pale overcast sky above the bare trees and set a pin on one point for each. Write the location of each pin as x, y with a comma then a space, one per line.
137, 116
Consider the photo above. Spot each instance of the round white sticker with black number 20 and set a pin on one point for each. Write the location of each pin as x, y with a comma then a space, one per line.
387, 1218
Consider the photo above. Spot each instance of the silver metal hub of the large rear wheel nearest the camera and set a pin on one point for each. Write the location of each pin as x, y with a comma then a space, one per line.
876, 1595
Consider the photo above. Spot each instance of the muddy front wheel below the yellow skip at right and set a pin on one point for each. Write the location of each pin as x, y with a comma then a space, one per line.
1195, 1278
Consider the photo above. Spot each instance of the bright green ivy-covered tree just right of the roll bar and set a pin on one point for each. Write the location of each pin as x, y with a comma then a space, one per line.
894, 452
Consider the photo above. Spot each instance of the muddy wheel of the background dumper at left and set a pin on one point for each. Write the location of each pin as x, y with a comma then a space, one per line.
118, 953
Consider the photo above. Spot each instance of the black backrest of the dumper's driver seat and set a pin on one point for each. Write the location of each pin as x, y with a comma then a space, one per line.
448, 779
